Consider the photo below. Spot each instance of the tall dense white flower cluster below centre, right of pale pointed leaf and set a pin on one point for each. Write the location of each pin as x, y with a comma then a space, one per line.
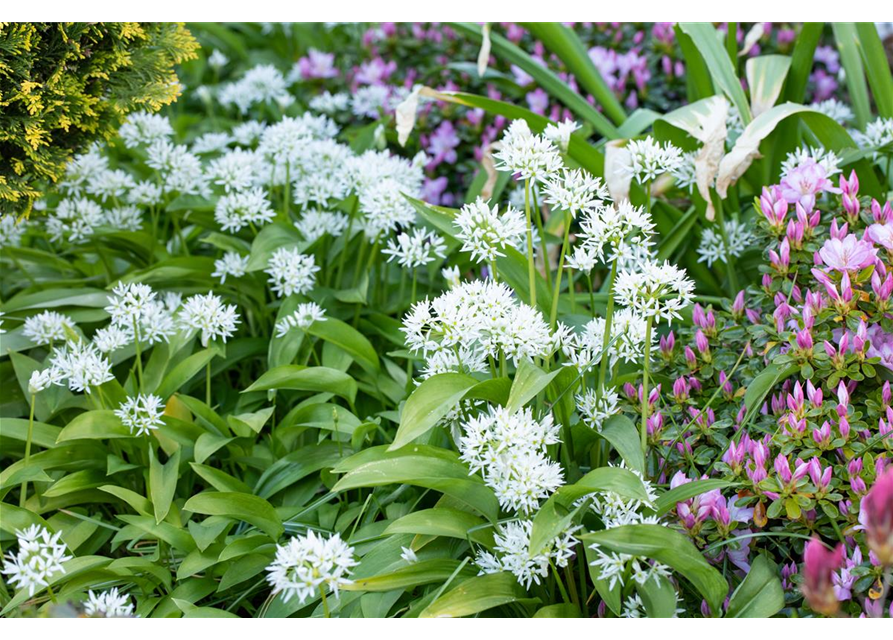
509, 449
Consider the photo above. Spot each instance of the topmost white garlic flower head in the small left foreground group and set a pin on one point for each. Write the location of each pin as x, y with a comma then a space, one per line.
135, 308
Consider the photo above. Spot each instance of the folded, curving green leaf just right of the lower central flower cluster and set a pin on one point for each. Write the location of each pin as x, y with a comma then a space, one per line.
555, 514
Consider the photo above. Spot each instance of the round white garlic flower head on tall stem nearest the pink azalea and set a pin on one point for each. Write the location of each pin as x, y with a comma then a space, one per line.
658, 291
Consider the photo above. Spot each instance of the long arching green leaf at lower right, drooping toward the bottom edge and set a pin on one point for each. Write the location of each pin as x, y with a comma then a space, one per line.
672, 549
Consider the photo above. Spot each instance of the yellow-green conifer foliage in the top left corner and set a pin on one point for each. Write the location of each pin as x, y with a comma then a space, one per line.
65, 84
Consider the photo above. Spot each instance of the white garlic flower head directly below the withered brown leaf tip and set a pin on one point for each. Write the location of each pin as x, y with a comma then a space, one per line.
609, 230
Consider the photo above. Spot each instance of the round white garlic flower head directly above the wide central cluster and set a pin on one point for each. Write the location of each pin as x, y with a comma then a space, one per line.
484, 233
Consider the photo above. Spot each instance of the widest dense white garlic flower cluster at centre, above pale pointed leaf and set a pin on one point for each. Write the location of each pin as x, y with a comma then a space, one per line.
477, 319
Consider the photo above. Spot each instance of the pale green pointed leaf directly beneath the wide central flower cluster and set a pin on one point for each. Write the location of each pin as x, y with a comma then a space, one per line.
429, 403
